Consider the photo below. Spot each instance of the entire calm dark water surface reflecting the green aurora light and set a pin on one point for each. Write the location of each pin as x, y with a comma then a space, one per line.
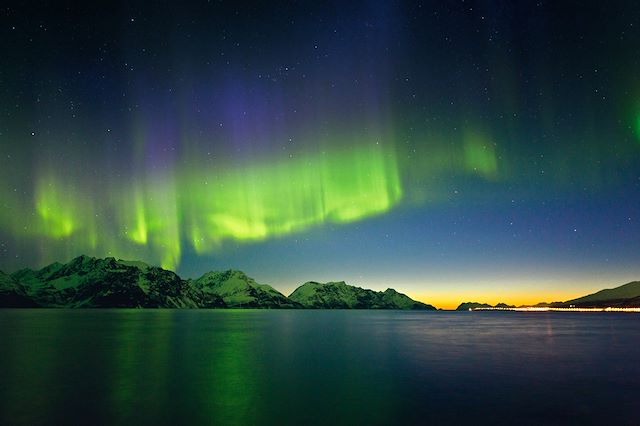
317, 367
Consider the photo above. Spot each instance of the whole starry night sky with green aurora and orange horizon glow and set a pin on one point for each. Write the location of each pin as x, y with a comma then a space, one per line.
461, 150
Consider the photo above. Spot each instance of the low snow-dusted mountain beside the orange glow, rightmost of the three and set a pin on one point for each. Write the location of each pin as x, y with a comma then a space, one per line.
339, 295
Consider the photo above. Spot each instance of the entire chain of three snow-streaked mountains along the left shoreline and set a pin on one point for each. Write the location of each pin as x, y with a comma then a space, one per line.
89, 282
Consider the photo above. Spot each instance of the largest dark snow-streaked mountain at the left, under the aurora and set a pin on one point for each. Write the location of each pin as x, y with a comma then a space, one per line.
88, 282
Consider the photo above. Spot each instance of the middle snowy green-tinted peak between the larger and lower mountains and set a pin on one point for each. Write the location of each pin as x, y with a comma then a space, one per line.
240, 291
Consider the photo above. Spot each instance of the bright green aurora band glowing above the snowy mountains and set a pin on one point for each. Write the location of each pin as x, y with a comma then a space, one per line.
206, 208
